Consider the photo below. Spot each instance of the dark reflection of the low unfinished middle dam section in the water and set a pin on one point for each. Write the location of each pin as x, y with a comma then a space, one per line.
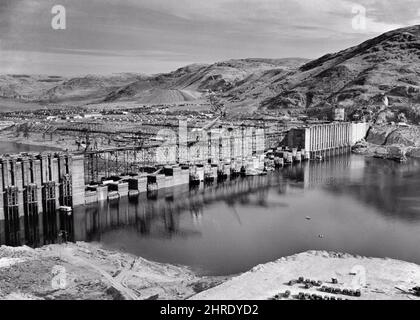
158, 214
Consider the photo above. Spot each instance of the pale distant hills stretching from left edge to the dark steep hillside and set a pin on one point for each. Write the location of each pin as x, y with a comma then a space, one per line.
185, 84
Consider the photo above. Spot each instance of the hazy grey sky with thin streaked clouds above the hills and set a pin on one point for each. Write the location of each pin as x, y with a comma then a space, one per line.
151, 36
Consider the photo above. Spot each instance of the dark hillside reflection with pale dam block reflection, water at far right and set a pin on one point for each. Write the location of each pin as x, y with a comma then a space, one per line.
391, 188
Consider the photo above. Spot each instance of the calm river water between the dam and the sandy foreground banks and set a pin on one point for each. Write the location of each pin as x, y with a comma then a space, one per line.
349, 204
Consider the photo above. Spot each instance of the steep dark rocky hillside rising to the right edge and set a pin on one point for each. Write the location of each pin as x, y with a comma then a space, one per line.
357, 77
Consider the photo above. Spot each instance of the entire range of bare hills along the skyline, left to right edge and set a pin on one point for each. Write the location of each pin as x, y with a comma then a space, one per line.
353, 78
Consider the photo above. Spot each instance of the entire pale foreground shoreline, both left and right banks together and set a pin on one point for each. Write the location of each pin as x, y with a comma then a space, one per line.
89, 272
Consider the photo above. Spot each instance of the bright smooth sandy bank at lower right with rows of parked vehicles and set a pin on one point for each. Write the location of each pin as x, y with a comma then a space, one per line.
382, 276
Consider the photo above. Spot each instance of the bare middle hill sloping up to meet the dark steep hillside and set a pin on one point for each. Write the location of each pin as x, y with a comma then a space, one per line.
234, 79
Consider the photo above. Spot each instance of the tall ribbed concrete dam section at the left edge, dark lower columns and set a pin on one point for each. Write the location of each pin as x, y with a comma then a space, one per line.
33, 187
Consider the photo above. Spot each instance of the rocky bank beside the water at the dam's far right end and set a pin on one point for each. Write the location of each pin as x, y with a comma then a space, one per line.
391, 142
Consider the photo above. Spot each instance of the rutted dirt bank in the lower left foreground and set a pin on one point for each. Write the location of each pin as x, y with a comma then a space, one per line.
86, 271
